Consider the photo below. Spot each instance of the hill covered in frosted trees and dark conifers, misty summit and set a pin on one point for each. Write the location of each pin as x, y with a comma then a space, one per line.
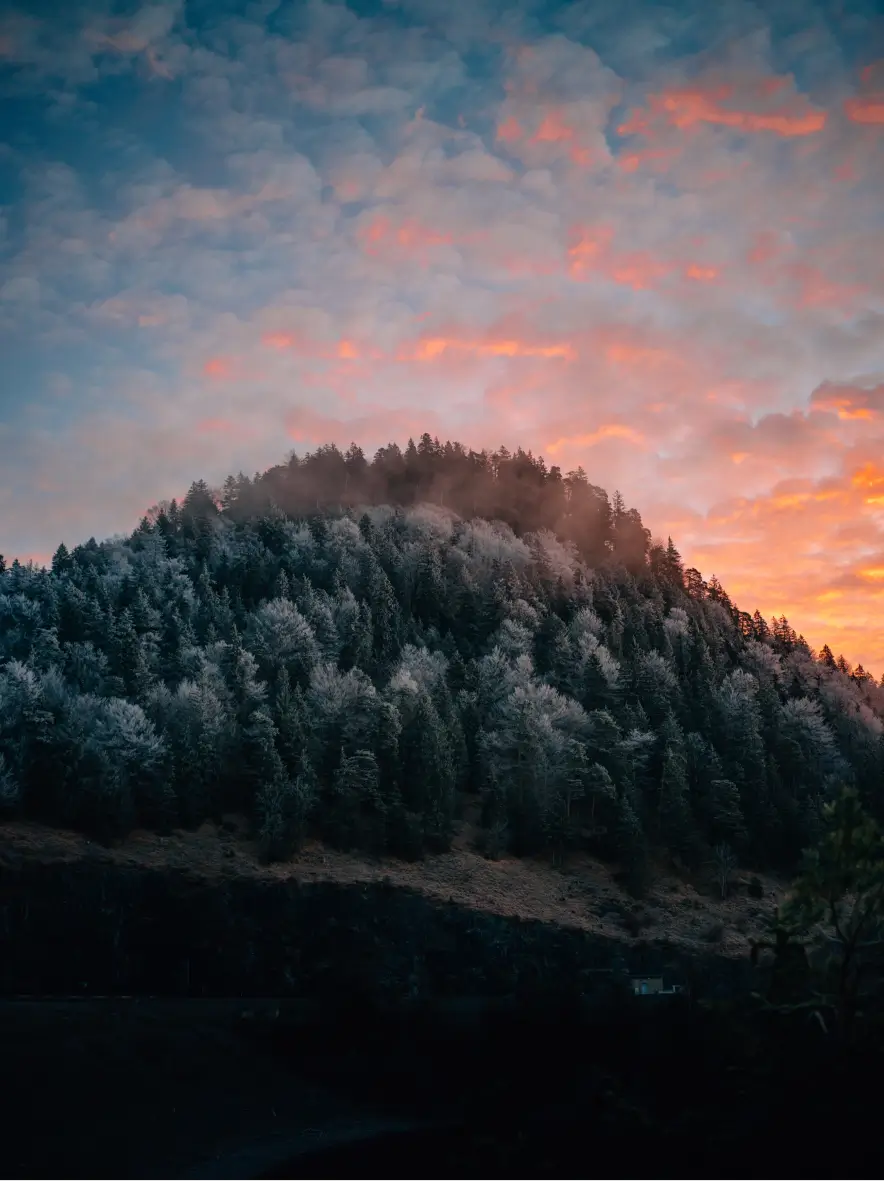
352, 650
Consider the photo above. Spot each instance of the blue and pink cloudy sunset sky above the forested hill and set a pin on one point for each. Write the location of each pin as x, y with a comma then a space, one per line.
646, 239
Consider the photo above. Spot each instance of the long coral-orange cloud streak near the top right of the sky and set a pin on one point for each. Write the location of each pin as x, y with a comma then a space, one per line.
689, 107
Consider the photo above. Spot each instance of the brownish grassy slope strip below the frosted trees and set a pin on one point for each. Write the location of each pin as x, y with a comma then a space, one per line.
584, 893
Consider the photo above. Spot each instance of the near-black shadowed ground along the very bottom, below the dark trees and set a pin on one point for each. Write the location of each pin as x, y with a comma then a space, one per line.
189, 1092
